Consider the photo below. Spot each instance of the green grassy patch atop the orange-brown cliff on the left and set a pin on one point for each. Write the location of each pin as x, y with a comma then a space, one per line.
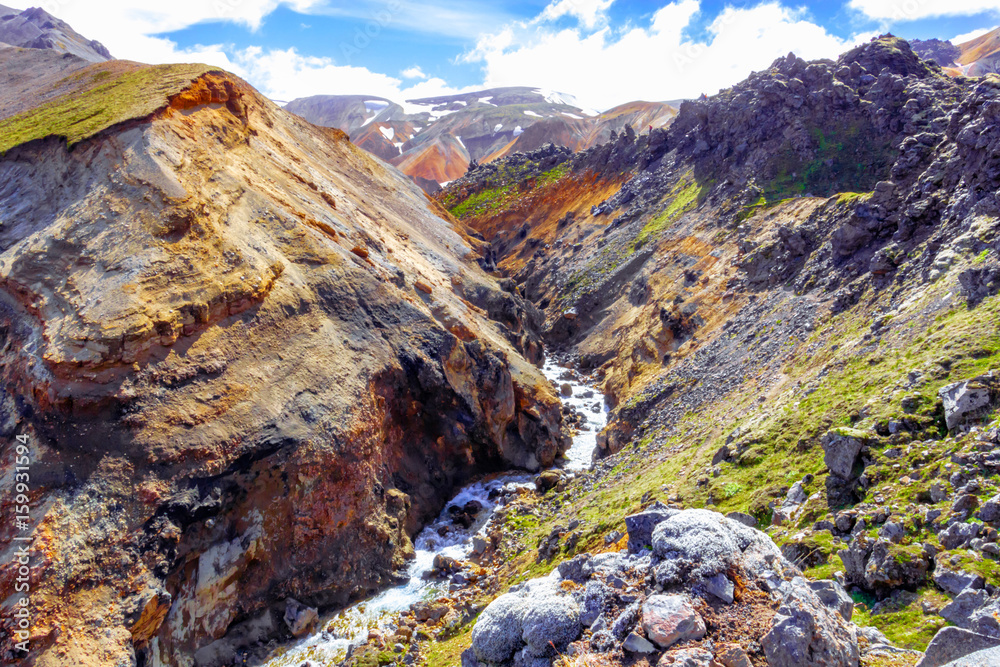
99, 100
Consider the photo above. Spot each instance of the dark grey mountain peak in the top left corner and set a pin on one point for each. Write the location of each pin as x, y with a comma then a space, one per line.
35, 28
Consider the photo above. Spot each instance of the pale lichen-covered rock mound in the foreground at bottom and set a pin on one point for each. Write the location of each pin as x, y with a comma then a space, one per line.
634, 605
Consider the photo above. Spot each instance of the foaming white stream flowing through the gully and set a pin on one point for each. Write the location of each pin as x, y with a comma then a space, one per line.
445, 537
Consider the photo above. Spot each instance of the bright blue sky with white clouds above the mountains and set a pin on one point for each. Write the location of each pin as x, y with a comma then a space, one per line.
605, 52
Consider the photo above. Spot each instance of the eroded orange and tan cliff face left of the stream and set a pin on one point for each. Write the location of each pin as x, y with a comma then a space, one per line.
250, 361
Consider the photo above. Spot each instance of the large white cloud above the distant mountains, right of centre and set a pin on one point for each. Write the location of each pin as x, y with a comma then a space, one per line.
604, 69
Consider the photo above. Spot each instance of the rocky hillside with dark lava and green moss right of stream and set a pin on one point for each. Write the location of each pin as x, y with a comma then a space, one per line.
790, 298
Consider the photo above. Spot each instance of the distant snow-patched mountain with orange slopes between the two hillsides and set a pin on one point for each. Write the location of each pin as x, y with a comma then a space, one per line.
433, 140
